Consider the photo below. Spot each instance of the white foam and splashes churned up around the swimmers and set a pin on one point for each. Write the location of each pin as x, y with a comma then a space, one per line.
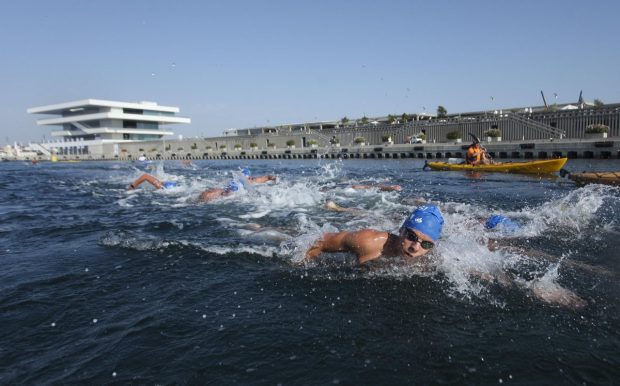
463, 258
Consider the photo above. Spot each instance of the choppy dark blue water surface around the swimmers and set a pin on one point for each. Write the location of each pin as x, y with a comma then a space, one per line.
103, 285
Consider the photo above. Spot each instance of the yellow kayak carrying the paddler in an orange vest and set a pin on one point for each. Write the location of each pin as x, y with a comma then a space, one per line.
535, 167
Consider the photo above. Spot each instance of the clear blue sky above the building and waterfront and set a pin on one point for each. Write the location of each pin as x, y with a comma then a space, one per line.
250, 63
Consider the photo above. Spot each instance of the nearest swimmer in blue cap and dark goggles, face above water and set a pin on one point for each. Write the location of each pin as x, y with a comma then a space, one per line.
417, 237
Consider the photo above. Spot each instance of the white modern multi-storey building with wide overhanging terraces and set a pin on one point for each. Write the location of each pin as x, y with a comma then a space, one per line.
93, 127
